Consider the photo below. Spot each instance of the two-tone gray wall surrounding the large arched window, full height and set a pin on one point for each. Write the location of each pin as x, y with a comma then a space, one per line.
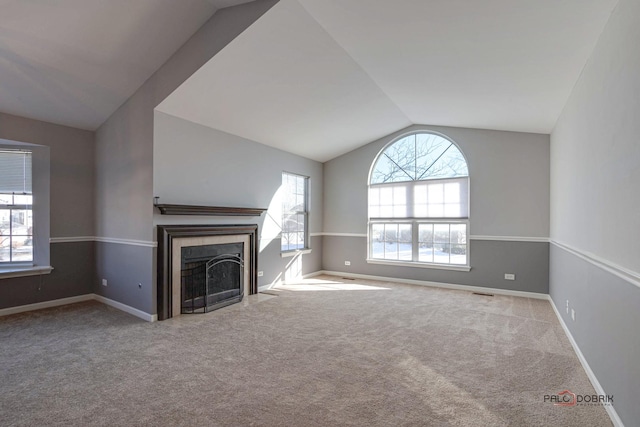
509, 211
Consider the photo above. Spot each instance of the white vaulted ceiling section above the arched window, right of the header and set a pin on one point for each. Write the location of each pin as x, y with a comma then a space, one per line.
319, 78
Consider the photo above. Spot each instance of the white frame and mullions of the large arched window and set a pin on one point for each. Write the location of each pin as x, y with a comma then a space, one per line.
410, 218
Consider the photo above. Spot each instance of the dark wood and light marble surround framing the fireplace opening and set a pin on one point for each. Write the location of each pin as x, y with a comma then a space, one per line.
171, 238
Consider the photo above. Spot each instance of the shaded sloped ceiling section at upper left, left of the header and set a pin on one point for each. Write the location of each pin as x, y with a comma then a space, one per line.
74, 62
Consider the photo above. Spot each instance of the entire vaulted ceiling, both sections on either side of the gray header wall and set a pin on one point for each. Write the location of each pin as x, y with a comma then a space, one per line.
316, 78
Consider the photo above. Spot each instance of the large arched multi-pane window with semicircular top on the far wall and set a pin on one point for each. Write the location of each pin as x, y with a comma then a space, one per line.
419, 202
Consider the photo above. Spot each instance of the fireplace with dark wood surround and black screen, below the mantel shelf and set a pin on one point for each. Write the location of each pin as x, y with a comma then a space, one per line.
202, 267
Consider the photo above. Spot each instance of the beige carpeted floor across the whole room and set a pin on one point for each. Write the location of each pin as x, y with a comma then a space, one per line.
329, 352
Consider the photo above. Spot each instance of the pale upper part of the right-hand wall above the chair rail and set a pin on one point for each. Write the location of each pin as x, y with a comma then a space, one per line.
595, 149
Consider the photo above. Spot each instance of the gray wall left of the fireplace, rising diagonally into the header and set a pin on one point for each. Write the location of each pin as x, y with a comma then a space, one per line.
124, 160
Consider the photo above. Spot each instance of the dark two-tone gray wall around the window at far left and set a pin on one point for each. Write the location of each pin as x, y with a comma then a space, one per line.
71, 211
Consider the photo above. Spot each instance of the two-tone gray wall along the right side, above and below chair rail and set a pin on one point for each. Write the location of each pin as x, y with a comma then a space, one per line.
595, 158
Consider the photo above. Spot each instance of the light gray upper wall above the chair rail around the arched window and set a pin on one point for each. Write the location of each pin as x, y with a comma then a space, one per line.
503, 167
